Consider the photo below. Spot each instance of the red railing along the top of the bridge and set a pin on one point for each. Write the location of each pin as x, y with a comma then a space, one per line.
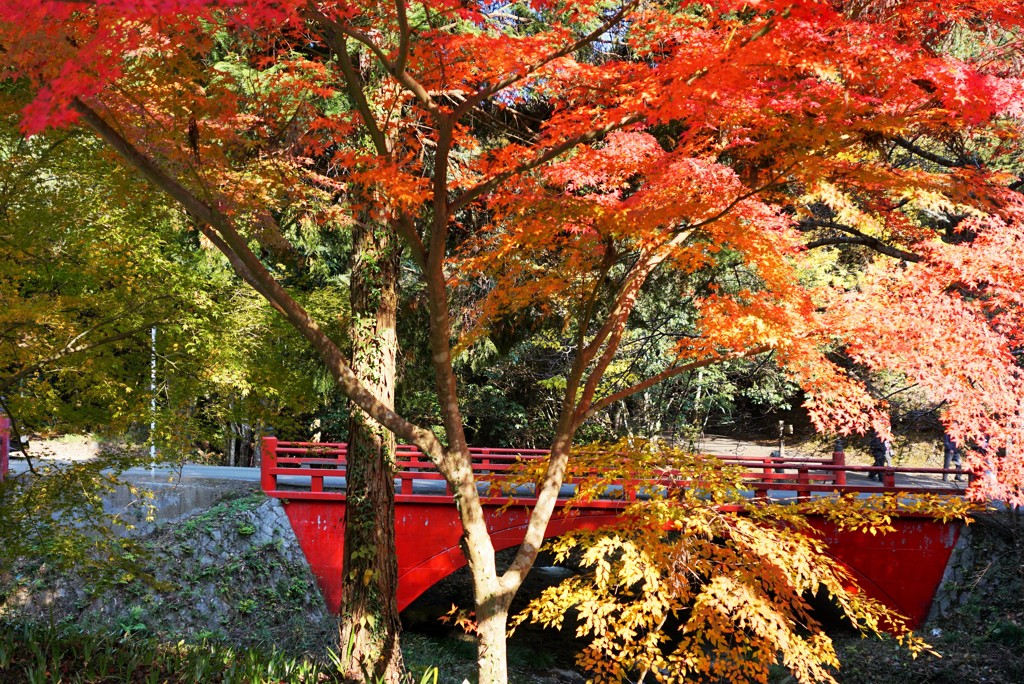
315, 471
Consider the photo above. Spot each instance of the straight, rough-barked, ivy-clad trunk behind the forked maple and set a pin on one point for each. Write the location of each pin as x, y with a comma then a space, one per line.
370, 627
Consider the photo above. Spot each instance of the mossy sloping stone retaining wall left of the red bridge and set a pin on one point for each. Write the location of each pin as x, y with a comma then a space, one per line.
235, 572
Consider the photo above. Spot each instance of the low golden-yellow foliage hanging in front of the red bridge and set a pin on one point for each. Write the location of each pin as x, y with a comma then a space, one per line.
702, 583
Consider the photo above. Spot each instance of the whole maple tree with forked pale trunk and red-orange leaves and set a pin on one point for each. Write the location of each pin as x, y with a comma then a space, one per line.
550, 159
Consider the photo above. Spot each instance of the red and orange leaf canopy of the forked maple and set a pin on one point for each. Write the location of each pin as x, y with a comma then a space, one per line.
694, 132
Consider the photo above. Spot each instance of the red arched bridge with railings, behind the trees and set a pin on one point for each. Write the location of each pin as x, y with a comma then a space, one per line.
904, 569
